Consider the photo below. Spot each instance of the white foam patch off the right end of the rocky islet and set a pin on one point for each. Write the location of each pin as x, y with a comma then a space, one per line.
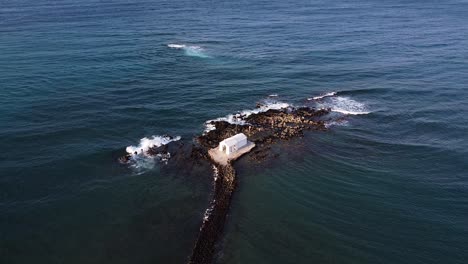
345, 105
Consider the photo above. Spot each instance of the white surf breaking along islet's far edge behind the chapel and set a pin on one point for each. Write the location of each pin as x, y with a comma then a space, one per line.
239, 118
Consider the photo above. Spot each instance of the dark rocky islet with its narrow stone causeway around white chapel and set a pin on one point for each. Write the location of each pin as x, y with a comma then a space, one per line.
263, 128
